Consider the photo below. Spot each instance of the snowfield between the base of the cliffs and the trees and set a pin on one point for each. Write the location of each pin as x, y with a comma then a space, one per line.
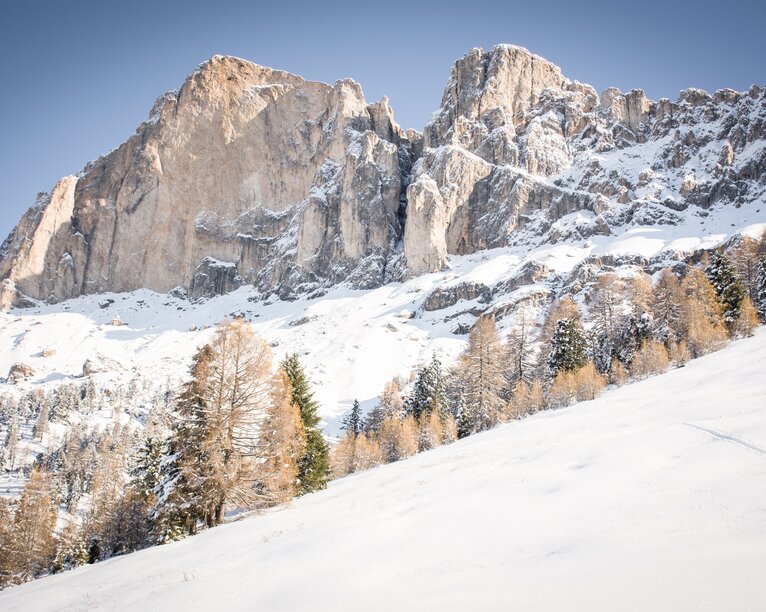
352, 341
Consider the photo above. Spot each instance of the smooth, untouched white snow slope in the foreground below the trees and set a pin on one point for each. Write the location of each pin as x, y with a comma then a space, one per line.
652, 497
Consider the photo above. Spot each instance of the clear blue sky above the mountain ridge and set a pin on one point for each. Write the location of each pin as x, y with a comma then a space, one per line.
79, 76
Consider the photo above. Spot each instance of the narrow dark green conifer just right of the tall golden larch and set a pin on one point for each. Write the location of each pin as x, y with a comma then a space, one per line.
314, 466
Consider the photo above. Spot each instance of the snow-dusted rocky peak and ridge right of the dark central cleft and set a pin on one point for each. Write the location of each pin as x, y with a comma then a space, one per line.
515, 148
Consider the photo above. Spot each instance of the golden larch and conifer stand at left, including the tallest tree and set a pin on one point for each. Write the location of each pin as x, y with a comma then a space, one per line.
240, 435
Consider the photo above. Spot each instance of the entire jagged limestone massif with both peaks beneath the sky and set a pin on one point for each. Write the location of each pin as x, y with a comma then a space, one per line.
252, 175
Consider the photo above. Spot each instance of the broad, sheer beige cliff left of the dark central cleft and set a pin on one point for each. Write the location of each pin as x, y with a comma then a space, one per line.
245, 175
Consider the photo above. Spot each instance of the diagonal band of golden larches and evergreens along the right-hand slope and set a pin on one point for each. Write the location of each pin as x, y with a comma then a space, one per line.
634, 328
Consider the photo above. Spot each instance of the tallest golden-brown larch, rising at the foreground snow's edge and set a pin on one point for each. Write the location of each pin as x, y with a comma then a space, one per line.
214, 445
